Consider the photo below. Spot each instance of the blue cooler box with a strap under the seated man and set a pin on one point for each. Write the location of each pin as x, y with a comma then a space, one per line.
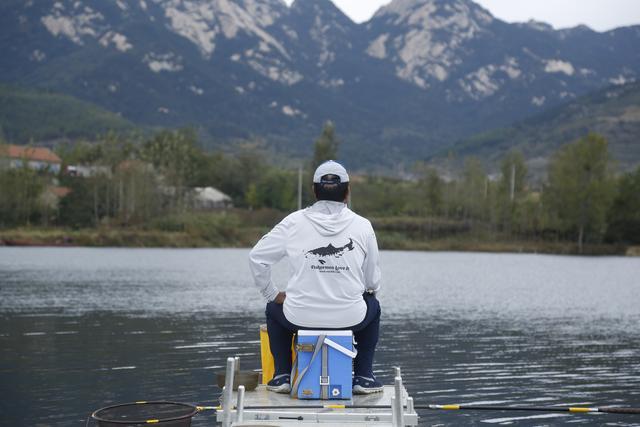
337, 347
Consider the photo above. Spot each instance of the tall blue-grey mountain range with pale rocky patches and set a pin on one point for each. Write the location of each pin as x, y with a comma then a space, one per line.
418, 76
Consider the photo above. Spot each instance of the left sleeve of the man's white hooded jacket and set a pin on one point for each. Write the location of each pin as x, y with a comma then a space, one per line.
268, 251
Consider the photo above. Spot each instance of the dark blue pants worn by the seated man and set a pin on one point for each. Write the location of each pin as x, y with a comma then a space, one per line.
366, 333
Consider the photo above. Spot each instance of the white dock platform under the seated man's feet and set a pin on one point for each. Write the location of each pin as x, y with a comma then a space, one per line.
261, 407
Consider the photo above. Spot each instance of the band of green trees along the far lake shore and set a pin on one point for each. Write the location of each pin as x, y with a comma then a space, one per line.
136, 181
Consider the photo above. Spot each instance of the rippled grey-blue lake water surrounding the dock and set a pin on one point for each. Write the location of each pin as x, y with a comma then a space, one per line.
85, 328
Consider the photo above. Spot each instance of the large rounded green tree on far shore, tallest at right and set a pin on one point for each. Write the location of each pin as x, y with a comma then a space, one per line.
580, 188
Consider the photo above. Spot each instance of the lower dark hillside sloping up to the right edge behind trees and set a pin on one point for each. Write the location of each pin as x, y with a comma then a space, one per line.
613, 112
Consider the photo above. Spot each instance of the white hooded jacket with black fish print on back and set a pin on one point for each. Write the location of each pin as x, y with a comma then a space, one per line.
333, 255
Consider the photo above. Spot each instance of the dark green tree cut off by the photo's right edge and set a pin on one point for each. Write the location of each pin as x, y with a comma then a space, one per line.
624, 215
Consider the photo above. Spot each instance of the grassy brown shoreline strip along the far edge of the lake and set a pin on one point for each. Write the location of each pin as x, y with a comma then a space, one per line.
246, 238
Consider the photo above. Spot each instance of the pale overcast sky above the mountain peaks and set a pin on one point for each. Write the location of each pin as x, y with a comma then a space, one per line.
601, 15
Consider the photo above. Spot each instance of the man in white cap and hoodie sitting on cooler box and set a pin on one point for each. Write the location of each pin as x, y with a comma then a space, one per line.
333, 254
